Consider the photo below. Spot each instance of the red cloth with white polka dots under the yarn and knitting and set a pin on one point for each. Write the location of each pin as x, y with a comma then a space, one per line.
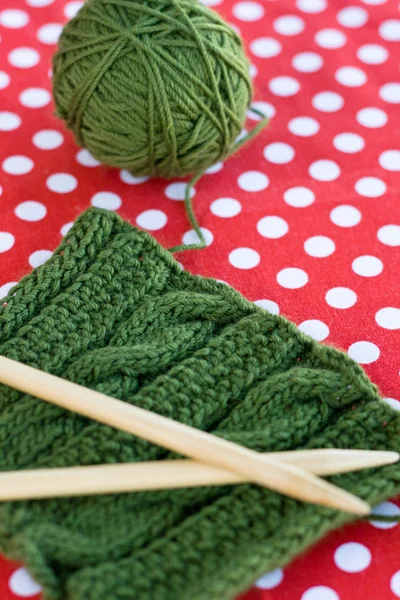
306, 221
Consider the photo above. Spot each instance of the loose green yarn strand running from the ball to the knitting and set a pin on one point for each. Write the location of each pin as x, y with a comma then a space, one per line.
188, 196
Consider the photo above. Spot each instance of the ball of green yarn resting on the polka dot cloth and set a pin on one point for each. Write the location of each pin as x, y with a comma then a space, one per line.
157, 87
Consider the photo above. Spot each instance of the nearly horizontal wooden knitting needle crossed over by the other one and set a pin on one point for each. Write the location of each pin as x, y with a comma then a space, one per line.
169, 474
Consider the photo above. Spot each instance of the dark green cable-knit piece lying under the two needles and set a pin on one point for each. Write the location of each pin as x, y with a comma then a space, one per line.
113, 311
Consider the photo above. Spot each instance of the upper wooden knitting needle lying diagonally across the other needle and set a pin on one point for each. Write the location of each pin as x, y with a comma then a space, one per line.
175, 436
